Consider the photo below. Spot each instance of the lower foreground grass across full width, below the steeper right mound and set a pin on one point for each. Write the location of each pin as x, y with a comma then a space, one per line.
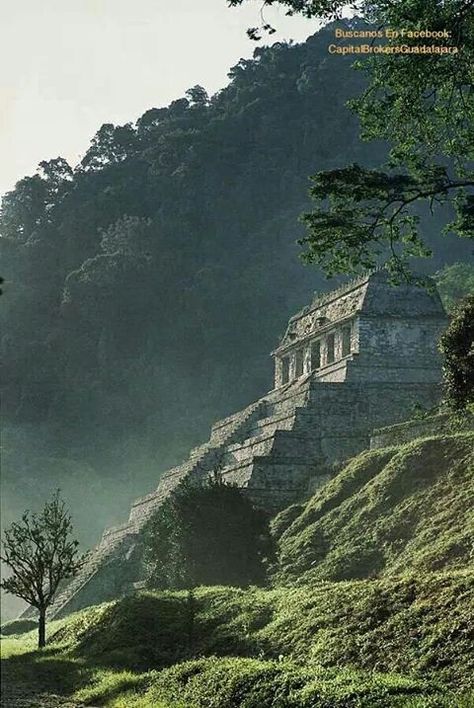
367, 642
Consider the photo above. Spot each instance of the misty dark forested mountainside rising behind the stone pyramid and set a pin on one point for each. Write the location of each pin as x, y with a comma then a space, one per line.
146, 286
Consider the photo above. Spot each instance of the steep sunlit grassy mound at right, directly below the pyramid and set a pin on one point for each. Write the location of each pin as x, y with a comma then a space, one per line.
392, 511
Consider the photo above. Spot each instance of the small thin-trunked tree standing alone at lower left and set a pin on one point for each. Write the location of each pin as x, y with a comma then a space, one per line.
41, 554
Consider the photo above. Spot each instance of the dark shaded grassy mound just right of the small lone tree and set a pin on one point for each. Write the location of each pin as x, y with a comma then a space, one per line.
146, 631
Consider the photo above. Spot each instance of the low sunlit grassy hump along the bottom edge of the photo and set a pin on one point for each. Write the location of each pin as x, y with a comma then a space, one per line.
231, 682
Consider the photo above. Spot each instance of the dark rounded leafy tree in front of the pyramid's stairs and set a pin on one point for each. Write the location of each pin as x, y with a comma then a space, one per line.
206, 535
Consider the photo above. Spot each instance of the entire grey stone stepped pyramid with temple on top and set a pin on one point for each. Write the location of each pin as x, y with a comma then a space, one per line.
353, 360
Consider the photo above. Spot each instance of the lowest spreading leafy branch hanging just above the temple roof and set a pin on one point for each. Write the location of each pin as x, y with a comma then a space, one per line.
364, 213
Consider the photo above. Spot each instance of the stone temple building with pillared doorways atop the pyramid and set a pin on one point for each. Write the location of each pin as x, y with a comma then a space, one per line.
365, 329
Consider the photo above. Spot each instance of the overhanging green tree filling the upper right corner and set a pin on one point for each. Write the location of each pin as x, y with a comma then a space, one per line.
423, 105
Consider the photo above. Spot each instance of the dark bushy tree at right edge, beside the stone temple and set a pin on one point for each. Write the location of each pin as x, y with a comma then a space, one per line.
457, 345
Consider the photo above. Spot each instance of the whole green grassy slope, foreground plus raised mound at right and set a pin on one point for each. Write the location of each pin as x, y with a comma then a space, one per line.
373, 605
